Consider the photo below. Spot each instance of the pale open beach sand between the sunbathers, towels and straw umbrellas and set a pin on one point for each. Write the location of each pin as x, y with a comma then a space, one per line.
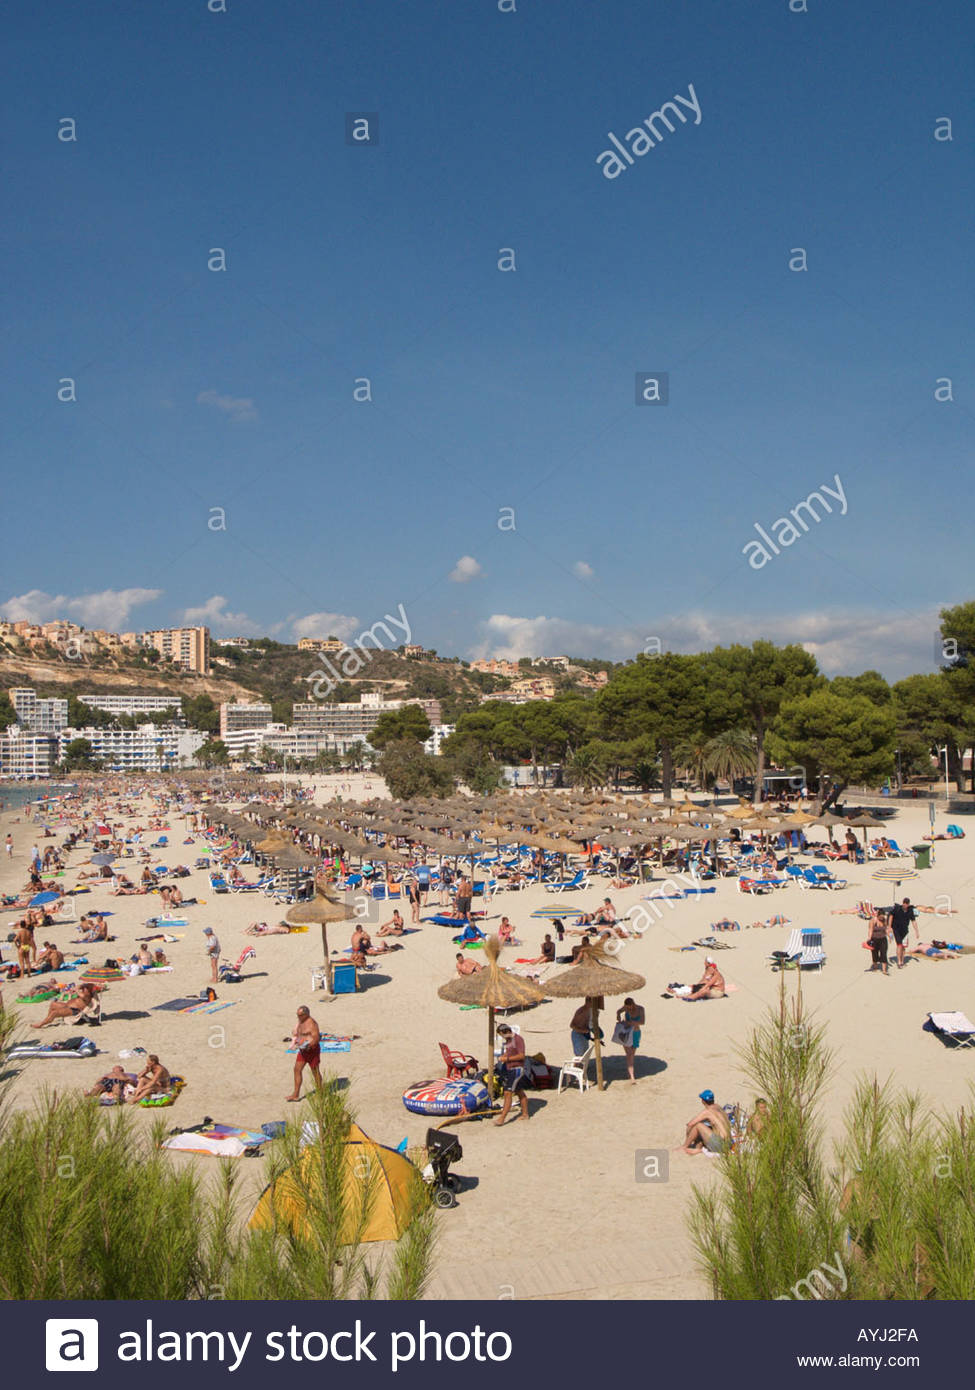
556, 1210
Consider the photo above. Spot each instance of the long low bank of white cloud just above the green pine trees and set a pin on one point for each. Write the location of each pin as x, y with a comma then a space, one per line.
842, 641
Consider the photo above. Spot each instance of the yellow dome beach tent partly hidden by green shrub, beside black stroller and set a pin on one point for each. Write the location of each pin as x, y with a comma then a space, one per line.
379, 1184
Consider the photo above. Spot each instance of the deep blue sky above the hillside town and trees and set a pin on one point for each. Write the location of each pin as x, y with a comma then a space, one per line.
200, 390
